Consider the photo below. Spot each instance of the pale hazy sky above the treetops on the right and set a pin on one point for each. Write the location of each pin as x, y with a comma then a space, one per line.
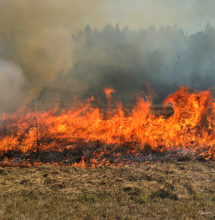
191, 15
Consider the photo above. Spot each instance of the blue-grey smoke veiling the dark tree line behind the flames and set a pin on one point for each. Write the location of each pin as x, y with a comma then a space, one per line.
129, 60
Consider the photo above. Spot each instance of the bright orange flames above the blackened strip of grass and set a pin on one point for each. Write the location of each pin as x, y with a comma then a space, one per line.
190, 127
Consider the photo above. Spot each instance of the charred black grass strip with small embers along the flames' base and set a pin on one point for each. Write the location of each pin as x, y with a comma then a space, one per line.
103, 154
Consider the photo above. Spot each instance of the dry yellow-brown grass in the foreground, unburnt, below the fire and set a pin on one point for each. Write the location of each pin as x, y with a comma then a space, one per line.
166, 190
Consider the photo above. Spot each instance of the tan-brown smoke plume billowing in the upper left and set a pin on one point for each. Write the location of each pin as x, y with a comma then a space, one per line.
38, 36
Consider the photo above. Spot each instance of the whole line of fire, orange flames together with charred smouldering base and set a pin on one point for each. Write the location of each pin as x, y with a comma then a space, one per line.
86, 135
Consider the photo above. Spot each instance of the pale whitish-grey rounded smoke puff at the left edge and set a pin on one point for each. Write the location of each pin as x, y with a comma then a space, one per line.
11, 85
